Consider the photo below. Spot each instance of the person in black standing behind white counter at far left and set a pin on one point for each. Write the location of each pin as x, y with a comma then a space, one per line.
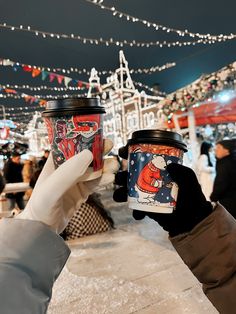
12, 172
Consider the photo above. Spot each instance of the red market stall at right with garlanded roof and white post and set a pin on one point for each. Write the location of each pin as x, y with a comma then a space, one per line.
207, 108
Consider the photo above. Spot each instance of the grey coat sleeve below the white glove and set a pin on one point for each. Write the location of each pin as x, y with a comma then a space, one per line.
31, 258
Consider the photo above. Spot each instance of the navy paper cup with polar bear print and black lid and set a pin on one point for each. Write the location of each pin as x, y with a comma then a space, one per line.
150, 187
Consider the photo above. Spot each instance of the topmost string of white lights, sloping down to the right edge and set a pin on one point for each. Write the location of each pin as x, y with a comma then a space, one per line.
157, 27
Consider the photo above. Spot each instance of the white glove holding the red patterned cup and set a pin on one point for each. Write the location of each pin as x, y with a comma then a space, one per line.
59, 193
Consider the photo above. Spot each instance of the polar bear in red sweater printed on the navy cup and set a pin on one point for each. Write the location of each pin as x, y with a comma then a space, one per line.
150, 180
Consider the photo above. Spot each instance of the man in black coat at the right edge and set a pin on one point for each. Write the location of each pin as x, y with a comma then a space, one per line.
224, 188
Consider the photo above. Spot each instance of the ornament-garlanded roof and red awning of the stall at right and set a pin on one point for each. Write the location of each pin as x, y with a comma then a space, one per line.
211, 98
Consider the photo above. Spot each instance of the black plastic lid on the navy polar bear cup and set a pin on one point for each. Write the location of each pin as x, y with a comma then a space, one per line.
158, 137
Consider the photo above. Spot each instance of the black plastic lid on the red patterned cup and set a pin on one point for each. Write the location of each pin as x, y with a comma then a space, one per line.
64, 106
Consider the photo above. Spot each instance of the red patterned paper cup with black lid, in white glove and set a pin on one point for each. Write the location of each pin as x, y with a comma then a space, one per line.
74, 125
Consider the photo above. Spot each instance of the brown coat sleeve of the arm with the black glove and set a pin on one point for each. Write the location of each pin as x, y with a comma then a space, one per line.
209, 250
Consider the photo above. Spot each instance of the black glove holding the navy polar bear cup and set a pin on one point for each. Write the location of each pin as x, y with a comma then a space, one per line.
191, 207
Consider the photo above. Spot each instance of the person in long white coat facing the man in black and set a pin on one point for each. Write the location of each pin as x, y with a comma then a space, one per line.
206, 168
